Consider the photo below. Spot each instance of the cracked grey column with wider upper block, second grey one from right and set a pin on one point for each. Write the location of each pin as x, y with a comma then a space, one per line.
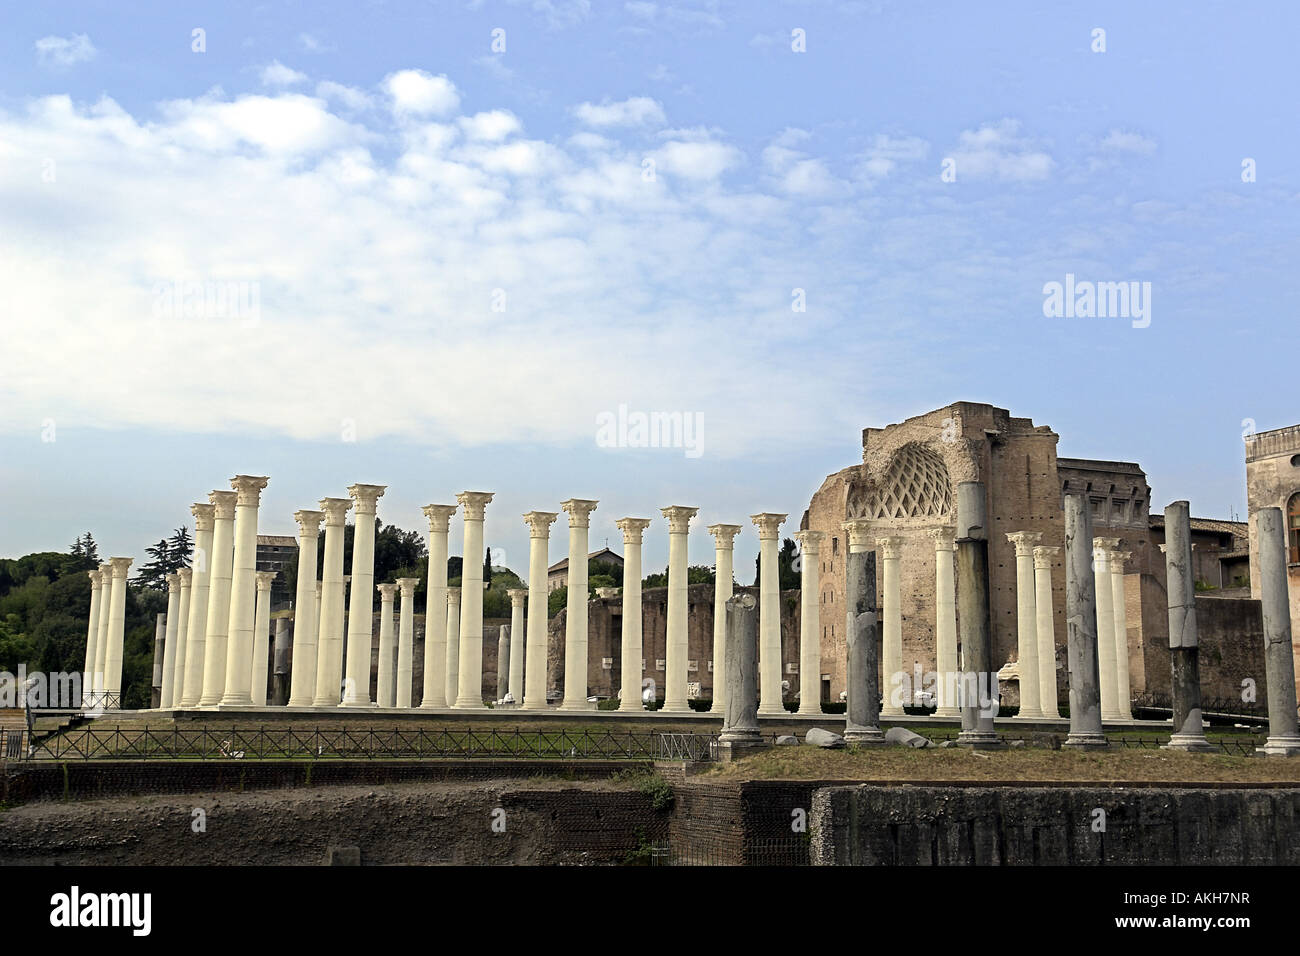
1184, 638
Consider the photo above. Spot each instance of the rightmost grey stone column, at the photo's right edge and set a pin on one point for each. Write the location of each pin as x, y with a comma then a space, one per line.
1279, 657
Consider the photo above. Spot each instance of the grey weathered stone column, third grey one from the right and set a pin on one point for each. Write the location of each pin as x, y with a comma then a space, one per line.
1081, 622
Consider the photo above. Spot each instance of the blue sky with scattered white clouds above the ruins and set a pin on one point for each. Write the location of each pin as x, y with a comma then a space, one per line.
457, 258
